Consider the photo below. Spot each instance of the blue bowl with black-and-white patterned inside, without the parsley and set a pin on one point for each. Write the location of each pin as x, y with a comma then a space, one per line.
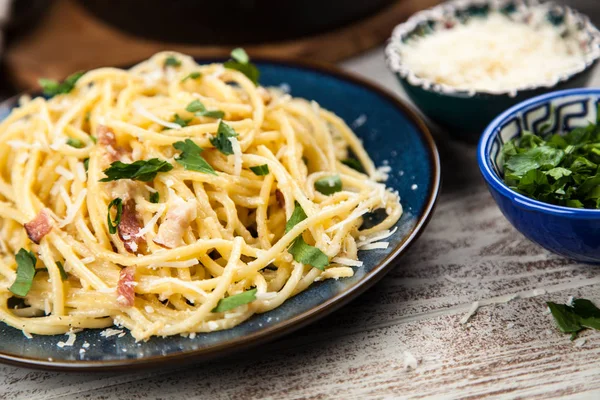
570, 232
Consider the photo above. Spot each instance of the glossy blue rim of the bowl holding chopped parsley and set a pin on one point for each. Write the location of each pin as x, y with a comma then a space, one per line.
484, 160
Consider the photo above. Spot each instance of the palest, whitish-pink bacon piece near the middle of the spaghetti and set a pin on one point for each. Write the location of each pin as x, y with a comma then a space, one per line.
179, 216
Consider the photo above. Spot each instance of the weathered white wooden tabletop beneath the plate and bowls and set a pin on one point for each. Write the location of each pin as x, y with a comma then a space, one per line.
468, 253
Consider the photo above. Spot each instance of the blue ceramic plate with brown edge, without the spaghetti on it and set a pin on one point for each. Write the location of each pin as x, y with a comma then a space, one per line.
391, 134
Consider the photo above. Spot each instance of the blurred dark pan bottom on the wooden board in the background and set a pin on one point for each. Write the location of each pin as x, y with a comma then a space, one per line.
232, 22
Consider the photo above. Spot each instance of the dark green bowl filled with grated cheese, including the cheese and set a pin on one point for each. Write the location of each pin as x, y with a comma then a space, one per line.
465, 61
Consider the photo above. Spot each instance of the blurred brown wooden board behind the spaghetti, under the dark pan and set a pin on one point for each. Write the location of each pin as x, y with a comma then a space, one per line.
70, 39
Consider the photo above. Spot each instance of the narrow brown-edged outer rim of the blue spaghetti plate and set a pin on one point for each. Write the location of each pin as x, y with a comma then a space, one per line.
299, 321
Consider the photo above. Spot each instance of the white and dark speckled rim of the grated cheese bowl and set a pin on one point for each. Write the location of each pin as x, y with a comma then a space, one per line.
442, 12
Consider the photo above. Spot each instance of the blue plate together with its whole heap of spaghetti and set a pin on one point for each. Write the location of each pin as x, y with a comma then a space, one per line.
183, 209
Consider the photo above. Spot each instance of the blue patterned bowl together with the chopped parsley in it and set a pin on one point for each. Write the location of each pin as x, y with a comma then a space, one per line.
541, 162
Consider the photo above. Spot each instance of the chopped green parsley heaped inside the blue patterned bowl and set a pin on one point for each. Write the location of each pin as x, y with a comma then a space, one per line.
560, 169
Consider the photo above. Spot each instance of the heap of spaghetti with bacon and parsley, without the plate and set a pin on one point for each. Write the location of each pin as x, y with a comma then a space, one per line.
175, 198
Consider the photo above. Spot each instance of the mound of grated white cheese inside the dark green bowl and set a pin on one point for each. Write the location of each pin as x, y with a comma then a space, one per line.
494, 53
